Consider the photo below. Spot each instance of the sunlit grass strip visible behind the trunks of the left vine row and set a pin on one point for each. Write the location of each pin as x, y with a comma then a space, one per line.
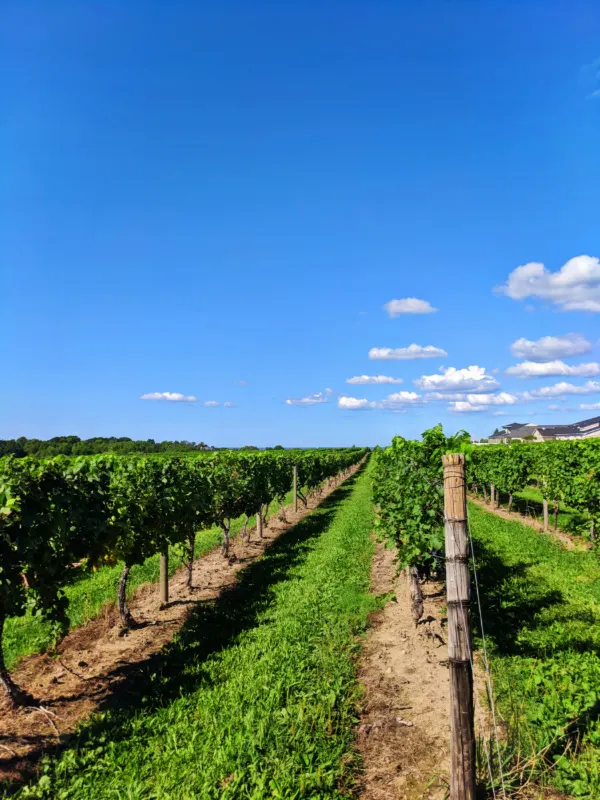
87, 596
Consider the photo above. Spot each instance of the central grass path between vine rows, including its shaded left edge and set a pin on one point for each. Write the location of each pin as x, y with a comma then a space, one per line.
256, 697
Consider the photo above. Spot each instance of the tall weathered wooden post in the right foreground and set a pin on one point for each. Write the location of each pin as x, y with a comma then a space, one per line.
462, 724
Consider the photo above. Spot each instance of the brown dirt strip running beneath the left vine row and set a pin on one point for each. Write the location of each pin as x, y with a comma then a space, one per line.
94, 661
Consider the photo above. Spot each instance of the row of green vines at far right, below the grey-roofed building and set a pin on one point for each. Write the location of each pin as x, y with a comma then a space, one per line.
567, 473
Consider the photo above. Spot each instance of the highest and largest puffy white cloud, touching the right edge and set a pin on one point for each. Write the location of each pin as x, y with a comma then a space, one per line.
574, 287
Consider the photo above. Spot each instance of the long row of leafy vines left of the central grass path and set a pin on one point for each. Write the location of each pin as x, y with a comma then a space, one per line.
63, 514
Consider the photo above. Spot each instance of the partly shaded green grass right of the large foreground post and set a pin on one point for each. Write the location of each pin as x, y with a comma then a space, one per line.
541, 607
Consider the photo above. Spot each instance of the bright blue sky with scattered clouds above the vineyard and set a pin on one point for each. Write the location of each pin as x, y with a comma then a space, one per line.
196, 194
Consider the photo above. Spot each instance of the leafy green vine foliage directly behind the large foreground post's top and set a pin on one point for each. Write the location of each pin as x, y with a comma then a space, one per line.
408, 491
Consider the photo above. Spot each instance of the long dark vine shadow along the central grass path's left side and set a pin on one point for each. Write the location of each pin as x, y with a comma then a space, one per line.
212, 626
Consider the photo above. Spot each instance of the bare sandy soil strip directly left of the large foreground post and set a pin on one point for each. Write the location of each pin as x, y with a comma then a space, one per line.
403, 734
